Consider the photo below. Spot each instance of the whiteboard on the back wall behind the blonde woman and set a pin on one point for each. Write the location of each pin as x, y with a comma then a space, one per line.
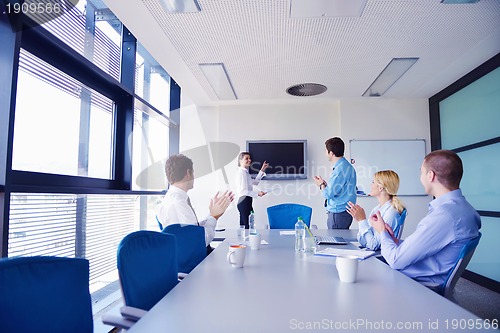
402, 156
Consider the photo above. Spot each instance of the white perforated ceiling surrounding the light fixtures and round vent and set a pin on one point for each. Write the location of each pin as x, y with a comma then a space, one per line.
265, 51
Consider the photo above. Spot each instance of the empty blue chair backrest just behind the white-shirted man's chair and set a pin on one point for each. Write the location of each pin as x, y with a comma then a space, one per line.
147, 267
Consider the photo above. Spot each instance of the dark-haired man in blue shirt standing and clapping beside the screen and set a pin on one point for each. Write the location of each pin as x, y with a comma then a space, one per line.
340, 188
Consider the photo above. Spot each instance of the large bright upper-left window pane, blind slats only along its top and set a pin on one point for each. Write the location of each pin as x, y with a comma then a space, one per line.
61, 126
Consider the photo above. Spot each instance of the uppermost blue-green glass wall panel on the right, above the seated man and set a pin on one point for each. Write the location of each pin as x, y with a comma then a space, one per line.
472, 114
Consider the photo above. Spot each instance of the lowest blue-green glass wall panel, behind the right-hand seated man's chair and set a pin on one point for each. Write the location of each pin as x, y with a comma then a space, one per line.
486, 261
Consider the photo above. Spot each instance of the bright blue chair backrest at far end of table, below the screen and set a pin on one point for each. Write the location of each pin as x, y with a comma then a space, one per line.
284, 216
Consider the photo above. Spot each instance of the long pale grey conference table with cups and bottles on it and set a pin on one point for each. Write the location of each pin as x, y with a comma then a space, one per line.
278, 290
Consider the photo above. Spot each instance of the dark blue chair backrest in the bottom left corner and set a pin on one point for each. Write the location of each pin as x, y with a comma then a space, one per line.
45, 294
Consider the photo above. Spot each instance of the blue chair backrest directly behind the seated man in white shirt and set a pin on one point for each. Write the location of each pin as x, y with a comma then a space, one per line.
191, 248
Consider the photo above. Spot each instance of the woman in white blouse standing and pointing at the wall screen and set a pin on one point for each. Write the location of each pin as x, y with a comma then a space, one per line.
244, 186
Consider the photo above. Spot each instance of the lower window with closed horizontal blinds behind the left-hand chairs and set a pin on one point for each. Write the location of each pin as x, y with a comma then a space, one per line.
72, 225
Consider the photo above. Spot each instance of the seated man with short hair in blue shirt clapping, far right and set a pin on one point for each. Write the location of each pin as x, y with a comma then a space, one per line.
430, 252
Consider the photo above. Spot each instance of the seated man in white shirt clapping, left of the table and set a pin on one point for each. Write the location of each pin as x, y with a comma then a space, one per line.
176, 206
